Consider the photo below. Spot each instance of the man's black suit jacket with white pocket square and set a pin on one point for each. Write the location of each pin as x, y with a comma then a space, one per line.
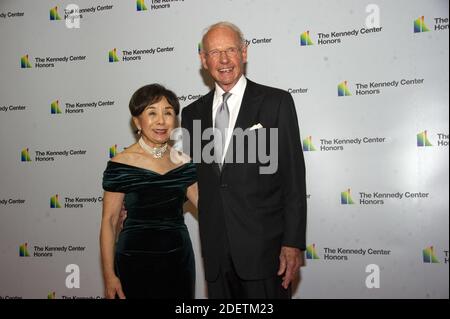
258, 213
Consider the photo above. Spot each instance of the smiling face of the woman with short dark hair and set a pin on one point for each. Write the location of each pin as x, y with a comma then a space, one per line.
156, 122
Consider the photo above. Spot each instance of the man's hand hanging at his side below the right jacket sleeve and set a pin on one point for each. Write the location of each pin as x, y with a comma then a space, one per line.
291, 259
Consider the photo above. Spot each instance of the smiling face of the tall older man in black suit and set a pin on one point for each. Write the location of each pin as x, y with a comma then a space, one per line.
224, 56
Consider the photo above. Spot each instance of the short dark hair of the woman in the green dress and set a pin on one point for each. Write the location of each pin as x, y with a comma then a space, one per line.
150, 94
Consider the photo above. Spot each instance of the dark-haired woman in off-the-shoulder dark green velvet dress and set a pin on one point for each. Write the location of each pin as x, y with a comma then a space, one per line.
153, 256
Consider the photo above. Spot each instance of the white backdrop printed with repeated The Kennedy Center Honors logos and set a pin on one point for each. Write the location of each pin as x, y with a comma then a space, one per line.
370, 81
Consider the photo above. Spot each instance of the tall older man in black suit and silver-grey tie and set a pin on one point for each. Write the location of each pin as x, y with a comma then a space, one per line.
252, 225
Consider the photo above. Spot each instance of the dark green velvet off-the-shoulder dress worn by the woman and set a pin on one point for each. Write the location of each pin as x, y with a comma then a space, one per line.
154, 257
